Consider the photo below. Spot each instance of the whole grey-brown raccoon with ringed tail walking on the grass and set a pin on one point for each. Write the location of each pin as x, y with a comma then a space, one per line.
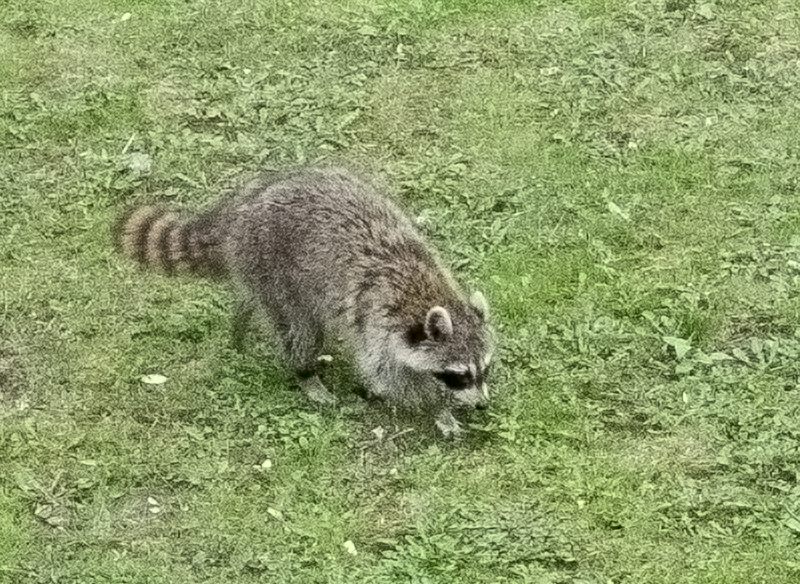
325, 254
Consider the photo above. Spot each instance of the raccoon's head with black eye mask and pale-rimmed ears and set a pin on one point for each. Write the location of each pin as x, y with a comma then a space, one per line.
453, 348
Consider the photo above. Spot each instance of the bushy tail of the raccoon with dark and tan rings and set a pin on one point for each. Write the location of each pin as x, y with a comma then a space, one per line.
171, 243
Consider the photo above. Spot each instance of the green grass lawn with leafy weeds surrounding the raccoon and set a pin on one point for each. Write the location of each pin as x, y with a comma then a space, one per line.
621, 178
